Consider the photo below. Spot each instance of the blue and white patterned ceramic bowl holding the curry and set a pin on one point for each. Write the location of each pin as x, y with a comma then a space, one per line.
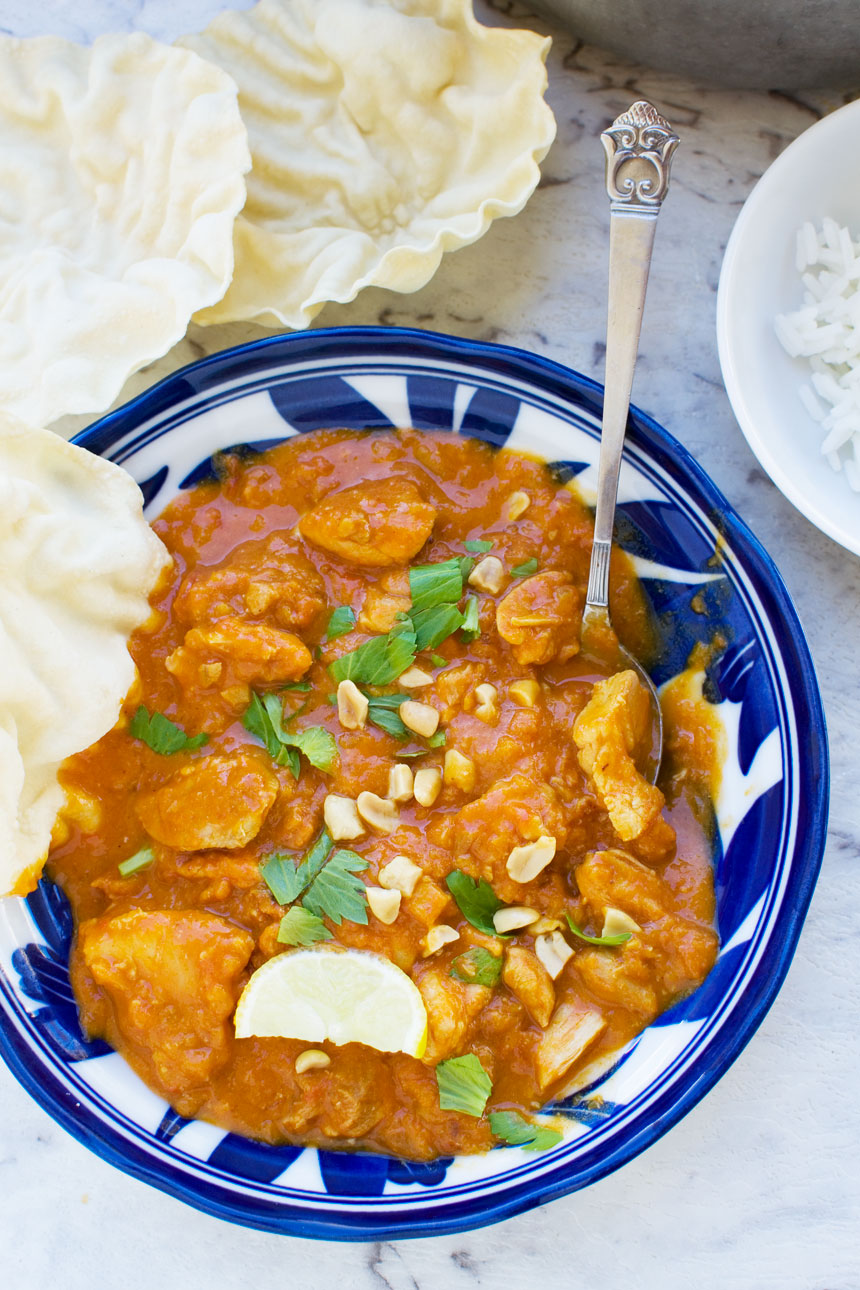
772, 809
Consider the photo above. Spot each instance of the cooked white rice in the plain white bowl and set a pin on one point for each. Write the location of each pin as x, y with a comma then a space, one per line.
826, 331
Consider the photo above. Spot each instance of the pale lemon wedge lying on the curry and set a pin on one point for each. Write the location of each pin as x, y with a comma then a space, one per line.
347, 997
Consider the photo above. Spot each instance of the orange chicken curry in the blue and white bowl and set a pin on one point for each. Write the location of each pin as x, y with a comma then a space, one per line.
163, 955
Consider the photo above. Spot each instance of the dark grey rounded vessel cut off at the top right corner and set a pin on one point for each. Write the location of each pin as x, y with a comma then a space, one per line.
747, 45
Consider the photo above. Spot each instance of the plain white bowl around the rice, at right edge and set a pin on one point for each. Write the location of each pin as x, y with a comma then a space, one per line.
818, 176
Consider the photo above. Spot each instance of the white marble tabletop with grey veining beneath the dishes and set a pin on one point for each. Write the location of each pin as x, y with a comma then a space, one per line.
760, 1186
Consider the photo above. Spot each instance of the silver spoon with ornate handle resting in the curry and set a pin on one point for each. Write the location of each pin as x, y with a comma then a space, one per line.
639, 148
